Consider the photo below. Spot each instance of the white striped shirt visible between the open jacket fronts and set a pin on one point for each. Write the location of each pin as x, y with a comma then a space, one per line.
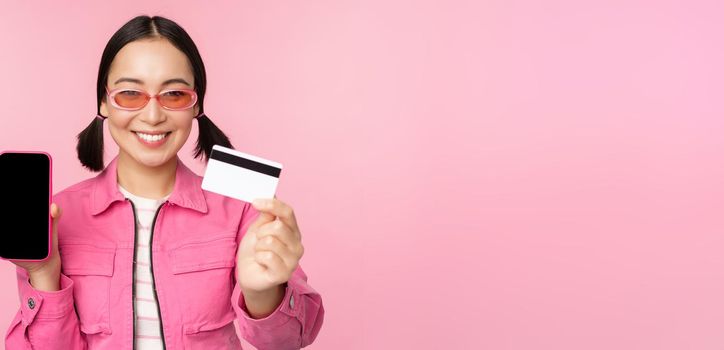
148, 327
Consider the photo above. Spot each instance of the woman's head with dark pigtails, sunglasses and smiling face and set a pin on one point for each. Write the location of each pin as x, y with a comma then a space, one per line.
143, 57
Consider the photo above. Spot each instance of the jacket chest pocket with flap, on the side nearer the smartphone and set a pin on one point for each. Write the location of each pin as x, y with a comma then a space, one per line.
91, 269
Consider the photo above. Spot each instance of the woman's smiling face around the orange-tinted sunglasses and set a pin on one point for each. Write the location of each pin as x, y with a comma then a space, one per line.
147, 65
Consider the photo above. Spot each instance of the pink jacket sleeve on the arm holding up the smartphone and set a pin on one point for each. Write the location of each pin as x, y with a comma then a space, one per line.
46, 320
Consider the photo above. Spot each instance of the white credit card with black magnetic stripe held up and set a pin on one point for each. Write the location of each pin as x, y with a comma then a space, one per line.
239, 175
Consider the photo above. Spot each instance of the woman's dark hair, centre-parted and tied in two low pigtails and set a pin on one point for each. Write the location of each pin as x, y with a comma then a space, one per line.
90, 140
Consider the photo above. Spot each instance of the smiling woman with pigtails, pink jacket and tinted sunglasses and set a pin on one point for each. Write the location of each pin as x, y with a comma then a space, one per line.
144, 258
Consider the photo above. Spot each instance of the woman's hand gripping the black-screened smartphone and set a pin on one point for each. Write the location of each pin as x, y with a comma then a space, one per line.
45, 275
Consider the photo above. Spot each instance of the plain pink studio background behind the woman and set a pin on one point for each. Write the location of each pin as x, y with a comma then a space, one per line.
466, 174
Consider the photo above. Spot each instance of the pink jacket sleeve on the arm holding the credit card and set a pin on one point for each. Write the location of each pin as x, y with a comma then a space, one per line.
296, 321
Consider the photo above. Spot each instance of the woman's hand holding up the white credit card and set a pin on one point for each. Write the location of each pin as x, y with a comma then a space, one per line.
268, 254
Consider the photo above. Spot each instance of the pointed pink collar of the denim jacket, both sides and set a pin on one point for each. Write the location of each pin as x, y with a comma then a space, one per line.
186, 193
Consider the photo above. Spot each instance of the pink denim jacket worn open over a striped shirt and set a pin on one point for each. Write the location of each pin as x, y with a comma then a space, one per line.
193, 254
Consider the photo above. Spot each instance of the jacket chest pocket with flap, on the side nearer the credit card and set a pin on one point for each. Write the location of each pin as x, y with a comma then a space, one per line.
203, 276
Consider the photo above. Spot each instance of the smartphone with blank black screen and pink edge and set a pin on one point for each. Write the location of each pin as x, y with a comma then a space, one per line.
25, 198
